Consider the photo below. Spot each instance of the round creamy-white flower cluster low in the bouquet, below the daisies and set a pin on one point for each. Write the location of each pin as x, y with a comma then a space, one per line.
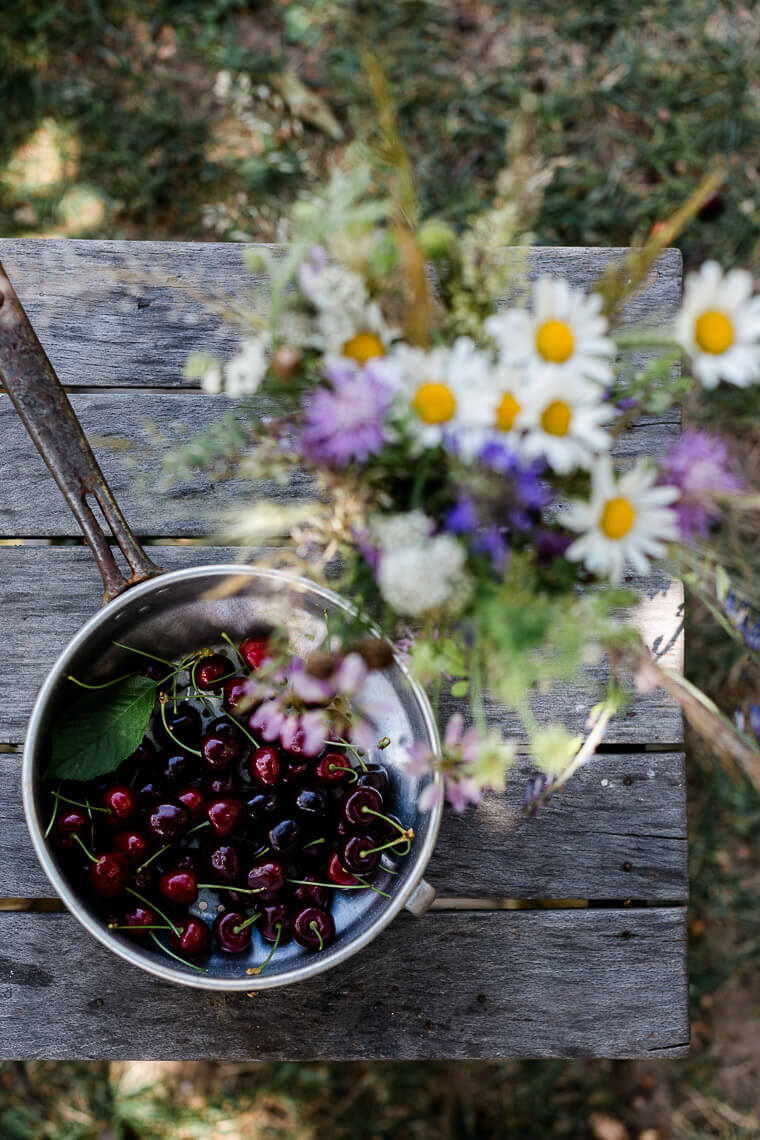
423, 577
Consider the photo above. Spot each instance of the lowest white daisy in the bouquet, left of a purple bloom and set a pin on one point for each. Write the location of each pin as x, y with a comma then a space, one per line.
627, 520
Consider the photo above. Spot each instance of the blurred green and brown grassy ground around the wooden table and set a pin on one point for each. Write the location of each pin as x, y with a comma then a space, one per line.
111, 128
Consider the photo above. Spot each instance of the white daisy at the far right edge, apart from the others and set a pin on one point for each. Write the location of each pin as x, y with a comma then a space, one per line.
720, 327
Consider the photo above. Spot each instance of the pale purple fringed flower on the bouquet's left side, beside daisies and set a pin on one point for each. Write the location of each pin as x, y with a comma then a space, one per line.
347, 421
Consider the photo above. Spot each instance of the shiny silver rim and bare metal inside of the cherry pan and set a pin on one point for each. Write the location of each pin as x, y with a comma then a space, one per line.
177, 614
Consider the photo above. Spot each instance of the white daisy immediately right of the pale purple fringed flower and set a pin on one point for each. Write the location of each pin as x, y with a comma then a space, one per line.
445, 394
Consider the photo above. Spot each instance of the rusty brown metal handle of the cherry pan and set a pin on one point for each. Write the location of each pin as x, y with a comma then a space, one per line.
32, 385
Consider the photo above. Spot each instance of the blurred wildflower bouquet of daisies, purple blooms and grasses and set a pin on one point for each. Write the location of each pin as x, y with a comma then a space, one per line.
464, 490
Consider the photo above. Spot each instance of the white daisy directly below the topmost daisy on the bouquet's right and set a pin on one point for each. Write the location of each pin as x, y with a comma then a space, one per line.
562, 422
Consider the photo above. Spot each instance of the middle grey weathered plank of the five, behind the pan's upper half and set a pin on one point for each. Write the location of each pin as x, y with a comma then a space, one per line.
48, 592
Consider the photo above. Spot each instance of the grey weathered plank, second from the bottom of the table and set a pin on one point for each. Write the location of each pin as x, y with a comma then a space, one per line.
617, 832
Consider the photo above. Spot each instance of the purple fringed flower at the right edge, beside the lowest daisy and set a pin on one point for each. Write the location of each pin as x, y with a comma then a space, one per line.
698, 465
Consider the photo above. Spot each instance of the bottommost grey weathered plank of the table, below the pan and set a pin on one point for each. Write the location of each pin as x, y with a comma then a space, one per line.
453, 984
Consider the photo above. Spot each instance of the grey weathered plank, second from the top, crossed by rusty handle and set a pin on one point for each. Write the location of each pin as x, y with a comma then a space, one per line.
132, 435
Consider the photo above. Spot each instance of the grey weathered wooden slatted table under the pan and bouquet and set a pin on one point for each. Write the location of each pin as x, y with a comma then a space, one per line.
592, 959
